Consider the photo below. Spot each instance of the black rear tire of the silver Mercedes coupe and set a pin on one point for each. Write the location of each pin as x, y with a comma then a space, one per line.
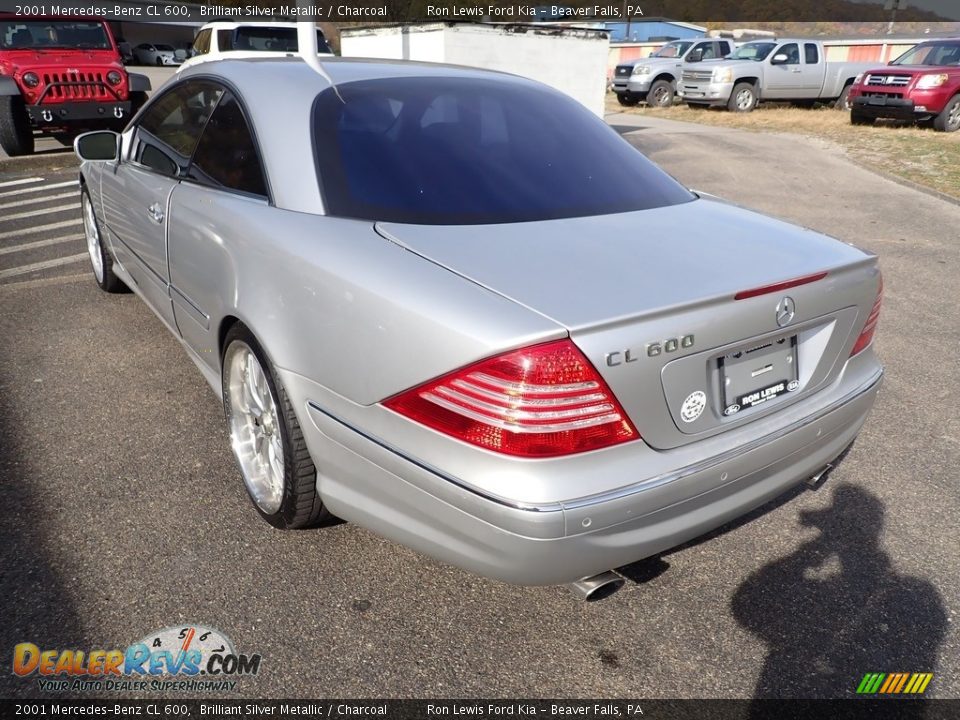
301, 506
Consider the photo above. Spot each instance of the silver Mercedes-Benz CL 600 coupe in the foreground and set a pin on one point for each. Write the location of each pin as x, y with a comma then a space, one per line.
456, 308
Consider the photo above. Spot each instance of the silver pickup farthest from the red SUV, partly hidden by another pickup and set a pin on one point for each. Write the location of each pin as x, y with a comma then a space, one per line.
654, 78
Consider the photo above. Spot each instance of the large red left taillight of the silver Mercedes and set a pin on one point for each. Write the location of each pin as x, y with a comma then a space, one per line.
541, 401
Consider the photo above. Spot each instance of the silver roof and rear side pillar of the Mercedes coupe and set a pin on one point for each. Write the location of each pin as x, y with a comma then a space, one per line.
278, 93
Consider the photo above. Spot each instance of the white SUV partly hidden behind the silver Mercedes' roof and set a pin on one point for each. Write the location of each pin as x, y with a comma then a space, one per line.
218, 40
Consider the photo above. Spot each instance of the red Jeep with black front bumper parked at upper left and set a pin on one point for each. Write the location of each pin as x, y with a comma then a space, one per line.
62, 76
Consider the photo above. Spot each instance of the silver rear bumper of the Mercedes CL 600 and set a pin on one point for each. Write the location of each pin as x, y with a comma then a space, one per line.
366, 480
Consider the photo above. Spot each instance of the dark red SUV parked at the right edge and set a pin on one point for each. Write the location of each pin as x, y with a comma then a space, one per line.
922, 85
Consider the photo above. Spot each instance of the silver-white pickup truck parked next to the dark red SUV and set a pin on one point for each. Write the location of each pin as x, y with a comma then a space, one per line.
792, 70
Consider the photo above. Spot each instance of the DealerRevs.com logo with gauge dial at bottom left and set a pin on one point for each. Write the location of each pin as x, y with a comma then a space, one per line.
191, 658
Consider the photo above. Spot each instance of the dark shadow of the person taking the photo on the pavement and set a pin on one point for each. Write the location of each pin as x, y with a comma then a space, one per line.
836, 609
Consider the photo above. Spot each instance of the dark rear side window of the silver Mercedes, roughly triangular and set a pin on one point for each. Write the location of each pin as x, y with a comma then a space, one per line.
226, 155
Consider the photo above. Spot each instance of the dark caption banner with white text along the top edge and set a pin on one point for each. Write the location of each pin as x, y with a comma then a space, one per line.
940, 15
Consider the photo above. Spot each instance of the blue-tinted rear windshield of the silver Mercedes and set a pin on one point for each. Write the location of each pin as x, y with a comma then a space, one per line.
456, 151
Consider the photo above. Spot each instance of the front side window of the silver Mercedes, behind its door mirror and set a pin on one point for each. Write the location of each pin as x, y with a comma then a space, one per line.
170, 127
